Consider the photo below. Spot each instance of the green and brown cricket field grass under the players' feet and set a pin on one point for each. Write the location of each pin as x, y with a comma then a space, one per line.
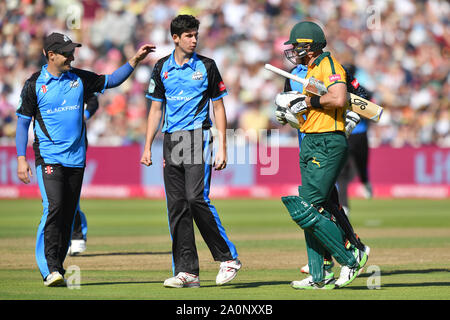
128, 255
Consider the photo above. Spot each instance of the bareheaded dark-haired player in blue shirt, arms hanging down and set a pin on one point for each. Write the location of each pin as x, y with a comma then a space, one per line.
185, 82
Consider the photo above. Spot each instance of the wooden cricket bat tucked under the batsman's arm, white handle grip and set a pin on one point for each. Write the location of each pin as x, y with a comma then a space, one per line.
361, 106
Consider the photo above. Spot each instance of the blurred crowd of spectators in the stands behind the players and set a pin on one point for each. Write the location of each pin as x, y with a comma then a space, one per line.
401, 50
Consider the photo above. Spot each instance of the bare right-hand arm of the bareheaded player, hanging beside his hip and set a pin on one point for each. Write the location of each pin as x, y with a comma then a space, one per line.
220, 161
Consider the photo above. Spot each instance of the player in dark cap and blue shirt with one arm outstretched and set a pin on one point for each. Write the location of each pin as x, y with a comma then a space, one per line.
54, 98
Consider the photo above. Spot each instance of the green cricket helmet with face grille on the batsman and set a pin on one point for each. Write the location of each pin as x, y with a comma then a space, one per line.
305, 36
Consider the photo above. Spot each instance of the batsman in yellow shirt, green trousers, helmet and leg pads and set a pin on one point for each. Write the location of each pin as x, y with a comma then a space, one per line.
323, 152
